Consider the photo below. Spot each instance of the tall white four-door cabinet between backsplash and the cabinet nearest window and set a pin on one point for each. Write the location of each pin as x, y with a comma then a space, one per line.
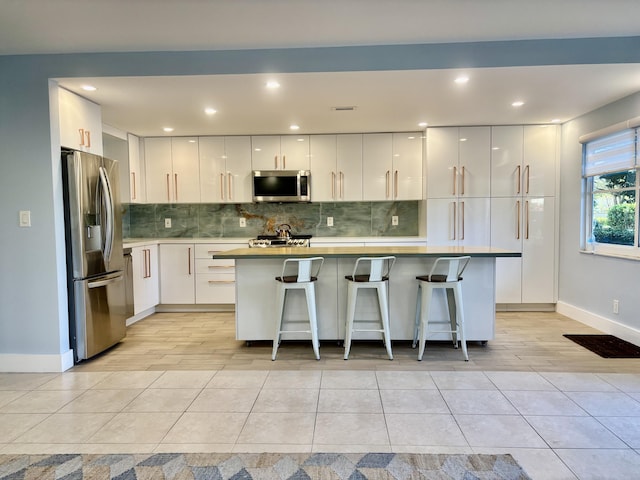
459, 186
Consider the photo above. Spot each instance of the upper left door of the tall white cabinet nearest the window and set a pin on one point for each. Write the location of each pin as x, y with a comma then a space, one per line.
506, 161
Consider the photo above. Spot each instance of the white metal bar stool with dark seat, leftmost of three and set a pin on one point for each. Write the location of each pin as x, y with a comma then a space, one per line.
298, 273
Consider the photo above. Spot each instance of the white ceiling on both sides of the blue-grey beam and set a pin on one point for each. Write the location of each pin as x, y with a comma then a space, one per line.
385, 101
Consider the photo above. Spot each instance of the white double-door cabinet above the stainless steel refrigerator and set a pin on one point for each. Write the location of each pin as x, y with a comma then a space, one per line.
80, 123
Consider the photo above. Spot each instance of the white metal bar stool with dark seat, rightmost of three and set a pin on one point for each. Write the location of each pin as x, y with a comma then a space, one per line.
446, 273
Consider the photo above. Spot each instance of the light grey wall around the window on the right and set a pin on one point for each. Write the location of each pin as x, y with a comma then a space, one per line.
591, 282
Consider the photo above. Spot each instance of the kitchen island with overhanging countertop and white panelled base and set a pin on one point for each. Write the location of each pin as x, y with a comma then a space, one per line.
256, 269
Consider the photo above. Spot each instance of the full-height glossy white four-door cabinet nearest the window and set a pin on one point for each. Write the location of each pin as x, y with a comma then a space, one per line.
523, 211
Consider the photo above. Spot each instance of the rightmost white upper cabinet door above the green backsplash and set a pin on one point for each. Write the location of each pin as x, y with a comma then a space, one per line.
407, 166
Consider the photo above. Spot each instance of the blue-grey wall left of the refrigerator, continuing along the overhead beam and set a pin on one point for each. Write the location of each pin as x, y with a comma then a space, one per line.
33, 318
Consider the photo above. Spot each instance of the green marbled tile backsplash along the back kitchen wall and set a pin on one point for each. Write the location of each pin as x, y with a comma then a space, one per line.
211, 220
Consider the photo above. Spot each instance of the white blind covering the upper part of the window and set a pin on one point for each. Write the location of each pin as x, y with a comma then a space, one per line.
613, 153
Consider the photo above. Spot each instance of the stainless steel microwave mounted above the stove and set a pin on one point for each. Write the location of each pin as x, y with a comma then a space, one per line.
281, 186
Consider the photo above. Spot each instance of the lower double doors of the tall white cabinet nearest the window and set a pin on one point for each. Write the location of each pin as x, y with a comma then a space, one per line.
525, 225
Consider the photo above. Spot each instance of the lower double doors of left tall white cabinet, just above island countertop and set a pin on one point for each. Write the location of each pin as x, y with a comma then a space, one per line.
458, 222
